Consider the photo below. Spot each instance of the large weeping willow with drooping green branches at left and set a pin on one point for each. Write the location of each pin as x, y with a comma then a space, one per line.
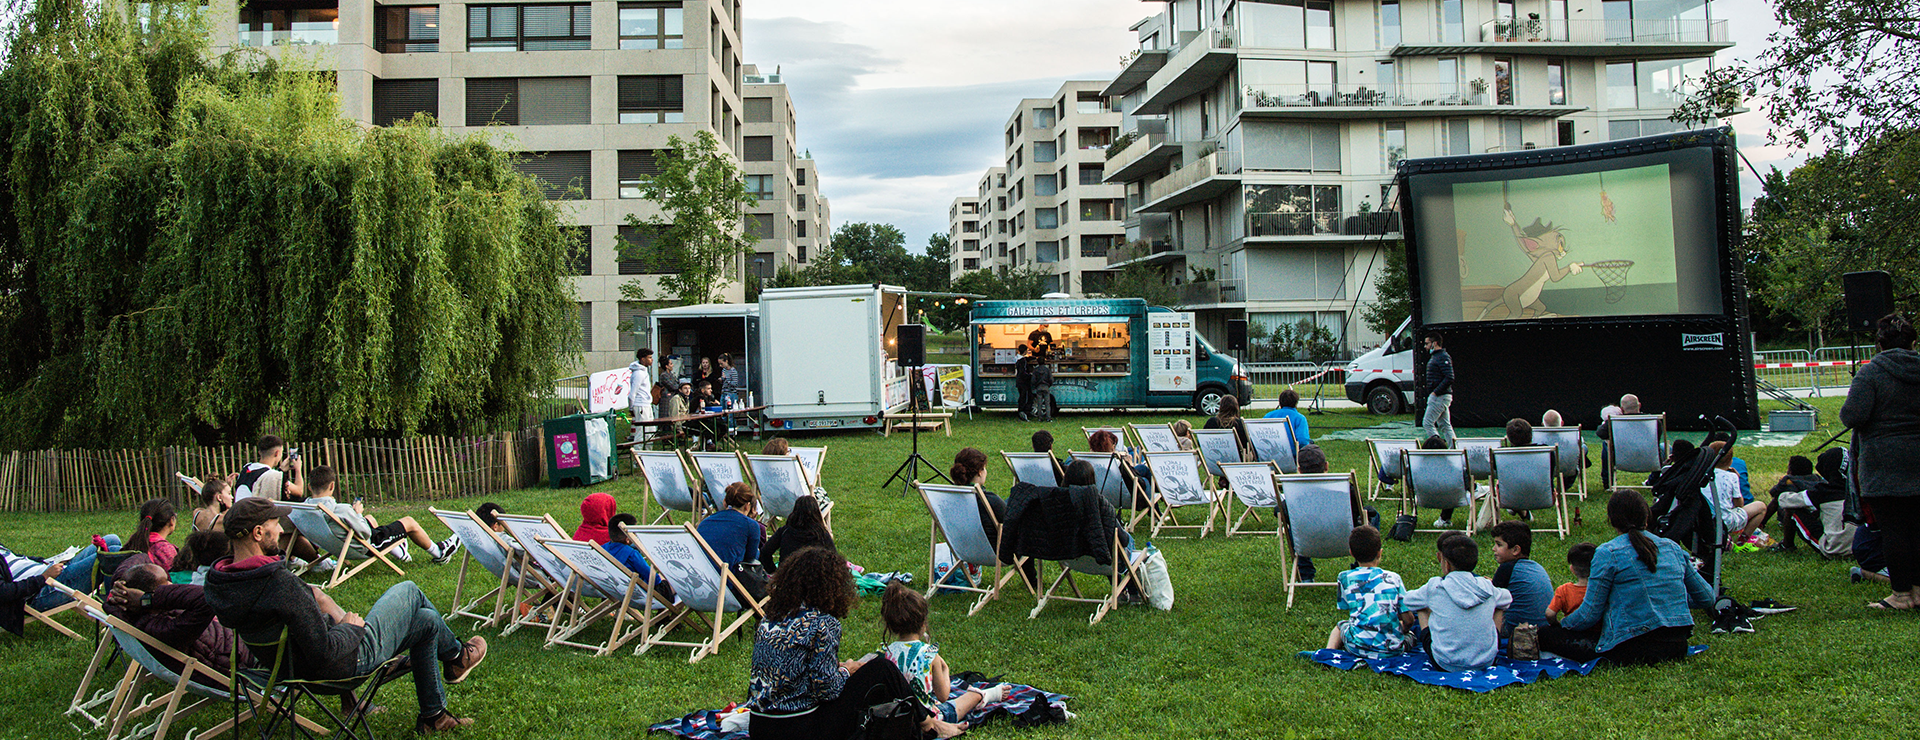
199, 245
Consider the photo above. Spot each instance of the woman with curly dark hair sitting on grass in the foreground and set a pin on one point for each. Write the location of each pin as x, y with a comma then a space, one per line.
798, 687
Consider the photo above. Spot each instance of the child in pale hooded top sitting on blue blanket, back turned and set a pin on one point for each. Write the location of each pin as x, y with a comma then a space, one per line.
1460, 614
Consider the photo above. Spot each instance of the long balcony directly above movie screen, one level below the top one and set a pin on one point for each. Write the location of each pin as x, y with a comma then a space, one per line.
1395, 101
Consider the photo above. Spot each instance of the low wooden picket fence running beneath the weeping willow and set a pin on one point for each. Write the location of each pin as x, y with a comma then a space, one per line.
406, 470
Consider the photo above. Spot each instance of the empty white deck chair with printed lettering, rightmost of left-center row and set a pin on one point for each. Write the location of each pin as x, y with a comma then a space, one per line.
709, 593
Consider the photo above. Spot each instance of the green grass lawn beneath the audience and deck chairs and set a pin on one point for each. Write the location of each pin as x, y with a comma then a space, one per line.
1220, 664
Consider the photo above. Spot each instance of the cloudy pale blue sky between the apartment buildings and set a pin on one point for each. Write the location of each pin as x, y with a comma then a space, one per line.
901, 103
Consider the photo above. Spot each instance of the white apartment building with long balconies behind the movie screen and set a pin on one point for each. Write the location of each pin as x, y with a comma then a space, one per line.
1260, 139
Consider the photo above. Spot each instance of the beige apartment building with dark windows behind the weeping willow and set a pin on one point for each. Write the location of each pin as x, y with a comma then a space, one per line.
590, 91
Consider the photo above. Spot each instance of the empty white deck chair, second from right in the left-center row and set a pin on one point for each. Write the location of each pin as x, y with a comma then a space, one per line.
621, 593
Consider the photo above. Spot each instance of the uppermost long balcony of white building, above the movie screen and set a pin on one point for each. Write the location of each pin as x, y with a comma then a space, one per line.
1669, 37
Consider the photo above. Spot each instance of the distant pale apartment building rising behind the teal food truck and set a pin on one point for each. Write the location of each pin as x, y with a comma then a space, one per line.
1051, 209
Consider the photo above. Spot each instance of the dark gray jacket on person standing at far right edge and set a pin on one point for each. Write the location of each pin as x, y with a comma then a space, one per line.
1884, 412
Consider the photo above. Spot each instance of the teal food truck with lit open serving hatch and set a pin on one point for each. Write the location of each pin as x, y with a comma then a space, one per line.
1107, 353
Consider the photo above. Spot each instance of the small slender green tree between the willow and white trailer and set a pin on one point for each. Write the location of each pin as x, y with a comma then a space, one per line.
698, 232
